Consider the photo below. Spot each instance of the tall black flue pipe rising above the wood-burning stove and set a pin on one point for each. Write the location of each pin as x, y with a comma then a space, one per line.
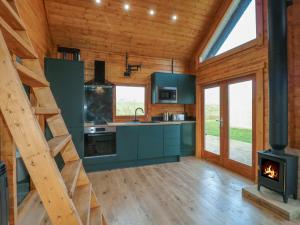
278, 74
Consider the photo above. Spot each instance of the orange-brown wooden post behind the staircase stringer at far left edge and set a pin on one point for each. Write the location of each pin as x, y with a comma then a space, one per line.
8, 156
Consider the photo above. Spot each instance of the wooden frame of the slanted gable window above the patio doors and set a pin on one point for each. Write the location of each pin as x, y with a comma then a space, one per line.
258, 41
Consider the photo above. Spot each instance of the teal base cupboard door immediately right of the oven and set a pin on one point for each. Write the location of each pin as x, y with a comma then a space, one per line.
127, 143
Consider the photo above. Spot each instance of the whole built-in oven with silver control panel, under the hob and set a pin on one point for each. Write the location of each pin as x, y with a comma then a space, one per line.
100, 141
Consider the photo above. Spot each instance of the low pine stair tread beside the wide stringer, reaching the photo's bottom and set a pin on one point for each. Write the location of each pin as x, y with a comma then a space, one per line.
82, 202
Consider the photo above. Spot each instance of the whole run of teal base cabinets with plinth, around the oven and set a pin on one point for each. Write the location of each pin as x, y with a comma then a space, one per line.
140, 145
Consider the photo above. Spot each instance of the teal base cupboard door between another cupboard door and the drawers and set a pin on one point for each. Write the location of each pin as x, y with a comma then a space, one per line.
150, 142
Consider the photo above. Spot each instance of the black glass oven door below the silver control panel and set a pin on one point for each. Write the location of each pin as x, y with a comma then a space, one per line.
100, 144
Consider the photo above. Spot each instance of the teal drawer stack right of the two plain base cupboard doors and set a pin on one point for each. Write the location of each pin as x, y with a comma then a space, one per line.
172, 140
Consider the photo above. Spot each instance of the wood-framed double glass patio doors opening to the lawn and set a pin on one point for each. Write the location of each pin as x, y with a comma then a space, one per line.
228, 128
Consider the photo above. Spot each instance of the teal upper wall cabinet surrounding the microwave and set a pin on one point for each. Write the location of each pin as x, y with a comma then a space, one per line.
185, 84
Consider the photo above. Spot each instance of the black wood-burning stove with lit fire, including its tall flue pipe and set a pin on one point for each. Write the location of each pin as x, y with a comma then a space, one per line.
278, 171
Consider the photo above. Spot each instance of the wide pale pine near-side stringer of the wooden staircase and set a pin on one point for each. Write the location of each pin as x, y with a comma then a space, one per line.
30, 140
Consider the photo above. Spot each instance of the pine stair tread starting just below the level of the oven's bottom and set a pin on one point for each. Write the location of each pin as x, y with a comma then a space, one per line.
70, 174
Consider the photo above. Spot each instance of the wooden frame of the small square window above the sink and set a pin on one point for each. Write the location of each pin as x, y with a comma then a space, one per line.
117, 118
